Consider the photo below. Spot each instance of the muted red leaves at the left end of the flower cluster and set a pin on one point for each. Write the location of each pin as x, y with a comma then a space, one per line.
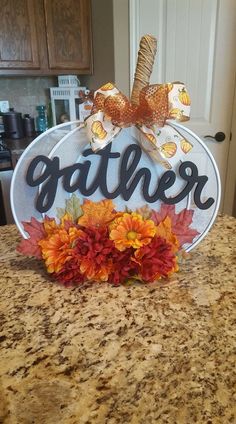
30, 247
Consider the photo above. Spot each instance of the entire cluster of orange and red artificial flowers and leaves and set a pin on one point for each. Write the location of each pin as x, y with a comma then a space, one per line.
94, 242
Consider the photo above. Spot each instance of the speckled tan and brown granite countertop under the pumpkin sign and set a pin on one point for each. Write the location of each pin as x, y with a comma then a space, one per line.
160, 353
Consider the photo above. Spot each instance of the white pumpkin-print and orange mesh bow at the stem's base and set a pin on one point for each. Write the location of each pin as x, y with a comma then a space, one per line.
158, 103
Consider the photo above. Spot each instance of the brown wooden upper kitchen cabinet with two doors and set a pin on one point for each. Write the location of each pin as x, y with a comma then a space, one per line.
45, 37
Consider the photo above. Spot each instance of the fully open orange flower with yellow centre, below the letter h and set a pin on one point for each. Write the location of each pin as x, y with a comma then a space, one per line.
131, 230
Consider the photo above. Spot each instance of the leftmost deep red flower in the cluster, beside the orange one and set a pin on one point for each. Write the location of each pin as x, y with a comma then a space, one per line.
94, 253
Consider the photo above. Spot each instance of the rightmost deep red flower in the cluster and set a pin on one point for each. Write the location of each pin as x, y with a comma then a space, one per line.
156, 260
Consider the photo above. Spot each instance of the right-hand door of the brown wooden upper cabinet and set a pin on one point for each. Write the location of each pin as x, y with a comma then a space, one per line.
68, 26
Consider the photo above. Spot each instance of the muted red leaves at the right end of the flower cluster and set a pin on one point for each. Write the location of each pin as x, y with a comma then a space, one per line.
180, 222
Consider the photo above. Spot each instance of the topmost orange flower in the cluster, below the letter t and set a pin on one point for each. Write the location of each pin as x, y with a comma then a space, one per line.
97, 214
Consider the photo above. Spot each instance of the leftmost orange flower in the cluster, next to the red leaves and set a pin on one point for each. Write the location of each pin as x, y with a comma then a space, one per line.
58, 247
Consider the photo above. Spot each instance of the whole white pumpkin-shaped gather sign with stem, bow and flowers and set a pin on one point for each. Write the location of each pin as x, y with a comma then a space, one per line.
121, 196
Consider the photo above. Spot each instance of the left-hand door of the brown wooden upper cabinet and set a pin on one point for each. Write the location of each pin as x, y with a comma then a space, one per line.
18, 39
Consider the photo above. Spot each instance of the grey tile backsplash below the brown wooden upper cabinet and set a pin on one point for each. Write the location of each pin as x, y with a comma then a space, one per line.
25, 93
